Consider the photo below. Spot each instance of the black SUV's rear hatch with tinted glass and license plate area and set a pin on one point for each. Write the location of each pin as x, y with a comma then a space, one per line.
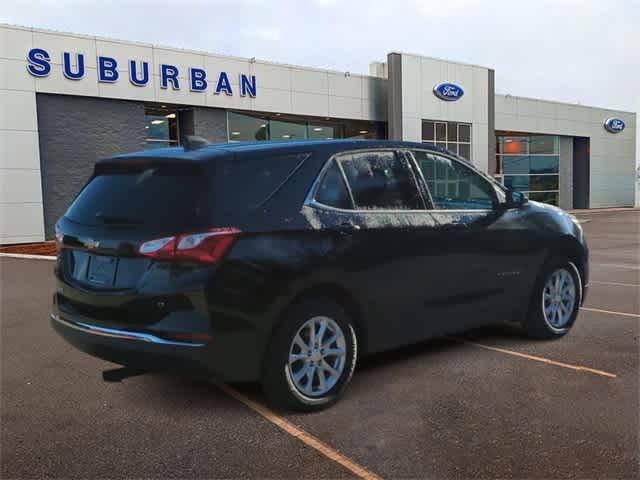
125, 204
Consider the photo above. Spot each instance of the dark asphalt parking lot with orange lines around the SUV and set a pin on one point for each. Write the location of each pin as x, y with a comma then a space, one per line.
487, 404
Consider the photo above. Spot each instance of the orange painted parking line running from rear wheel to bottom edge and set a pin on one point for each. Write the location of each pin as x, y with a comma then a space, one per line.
301, 435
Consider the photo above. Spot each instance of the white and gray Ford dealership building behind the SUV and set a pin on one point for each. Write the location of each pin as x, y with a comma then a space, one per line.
69, 100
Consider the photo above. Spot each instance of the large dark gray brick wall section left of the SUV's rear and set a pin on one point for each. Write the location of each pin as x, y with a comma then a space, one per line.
74, 133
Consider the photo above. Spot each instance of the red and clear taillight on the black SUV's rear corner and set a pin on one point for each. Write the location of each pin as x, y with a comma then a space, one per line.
208, 246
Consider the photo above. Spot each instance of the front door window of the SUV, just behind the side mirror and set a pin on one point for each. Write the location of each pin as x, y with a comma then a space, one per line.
452, 185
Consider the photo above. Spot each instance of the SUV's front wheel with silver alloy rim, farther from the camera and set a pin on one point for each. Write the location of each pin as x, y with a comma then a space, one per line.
555, 301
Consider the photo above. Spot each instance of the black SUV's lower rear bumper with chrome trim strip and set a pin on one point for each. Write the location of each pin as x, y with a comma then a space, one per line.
144, 351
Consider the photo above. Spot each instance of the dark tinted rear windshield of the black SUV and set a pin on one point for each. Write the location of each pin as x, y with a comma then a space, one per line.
150, 198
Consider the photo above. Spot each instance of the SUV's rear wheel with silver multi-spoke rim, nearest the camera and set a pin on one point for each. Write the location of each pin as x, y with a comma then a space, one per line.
292, 370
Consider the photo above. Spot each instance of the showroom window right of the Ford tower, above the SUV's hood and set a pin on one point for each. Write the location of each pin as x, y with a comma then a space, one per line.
530, 164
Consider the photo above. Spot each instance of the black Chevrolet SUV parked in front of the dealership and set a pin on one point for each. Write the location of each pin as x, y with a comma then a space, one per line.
284, 262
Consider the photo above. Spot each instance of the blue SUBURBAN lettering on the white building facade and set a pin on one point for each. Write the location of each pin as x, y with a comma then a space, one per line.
108, 71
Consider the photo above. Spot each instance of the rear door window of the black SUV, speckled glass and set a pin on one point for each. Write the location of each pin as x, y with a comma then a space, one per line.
381, 180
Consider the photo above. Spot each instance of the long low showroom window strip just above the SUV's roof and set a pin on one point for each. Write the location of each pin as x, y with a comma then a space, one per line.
251, 127
